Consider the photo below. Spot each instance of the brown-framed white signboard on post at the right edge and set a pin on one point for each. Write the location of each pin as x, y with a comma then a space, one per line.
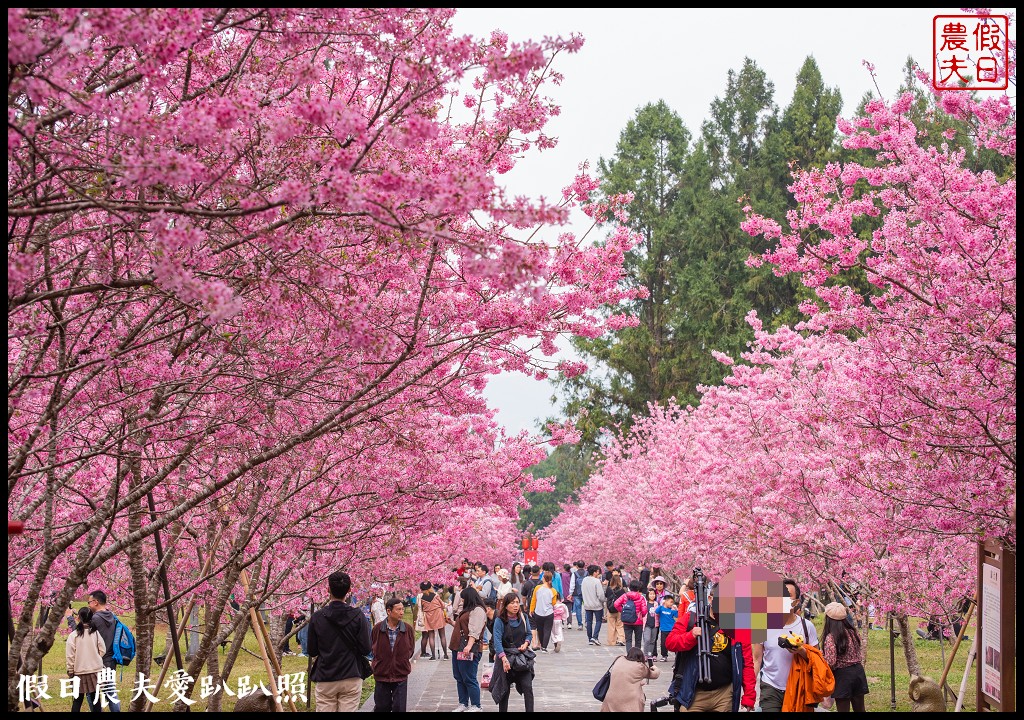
997, 626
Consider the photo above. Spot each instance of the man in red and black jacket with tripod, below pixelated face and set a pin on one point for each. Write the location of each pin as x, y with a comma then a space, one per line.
732, 683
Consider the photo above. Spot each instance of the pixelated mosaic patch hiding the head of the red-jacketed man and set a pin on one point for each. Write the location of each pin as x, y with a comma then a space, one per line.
752, 601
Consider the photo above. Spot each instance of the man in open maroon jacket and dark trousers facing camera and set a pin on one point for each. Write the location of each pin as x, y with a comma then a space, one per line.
394, 645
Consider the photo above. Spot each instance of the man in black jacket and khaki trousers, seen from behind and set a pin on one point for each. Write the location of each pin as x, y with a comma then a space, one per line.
339, 638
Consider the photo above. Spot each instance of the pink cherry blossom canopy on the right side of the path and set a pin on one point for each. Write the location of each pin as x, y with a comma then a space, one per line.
876, 442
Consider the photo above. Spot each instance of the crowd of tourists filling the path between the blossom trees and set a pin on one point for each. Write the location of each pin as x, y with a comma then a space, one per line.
509, 615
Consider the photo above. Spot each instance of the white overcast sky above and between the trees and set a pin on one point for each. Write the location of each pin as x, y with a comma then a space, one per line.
632, 57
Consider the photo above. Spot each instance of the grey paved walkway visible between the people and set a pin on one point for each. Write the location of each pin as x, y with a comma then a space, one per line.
565, 681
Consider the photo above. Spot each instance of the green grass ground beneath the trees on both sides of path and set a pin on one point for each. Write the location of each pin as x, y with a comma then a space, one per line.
879, 700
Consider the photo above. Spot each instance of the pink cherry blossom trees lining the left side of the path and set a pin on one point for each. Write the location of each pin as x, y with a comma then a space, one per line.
258, 281
